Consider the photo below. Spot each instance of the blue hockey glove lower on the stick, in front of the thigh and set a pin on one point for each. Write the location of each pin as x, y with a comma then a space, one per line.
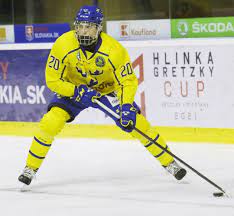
127, 120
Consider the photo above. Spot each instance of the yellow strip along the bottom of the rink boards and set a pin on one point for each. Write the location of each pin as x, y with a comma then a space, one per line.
175, 134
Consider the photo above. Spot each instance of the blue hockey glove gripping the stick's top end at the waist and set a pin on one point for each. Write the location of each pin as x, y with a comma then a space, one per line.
85, 96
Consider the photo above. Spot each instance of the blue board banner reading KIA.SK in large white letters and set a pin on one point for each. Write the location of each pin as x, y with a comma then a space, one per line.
23, 94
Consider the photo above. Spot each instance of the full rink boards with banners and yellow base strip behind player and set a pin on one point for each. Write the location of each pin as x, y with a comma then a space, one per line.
185, 90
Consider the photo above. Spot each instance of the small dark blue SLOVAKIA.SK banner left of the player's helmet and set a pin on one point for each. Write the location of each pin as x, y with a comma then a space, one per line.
38, 33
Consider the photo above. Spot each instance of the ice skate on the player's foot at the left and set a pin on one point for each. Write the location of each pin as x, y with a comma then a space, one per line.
26, 177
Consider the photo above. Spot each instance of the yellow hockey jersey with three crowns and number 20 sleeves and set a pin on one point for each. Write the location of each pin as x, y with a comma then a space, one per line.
106, 70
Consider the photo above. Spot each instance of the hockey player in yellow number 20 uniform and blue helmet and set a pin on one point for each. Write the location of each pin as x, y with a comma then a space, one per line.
85, 64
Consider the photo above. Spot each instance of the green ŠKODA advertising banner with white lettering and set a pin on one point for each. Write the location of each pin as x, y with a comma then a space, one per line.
202, 27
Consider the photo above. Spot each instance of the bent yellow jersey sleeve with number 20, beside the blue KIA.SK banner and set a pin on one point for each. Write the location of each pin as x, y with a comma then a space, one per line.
55, 68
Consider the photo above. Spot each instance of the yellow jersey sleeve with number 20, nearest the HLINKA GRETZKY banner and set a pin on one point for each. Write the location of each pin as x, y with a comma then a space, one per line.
124, 75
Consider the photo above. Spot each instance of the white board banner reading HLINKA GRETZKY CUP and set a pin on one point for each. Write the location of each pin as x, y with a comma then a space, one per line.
187, 84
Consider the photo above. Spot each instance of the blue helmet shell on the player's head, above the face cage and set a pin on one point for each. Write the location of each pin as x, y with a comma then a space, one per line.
91, 14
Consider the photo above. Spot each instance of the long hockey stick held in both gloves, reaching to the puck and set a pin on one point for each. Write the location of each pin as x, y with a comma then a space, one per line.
170, 153
